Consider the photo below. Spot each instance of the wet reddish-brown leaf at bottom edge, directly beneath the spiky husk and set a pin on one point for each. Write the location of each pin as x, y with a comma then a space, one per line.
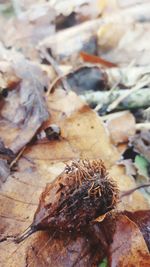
49, 251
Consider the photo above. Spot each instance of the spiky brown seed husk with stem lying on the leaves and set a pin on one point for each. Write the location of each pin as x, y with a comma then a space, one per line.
80, 194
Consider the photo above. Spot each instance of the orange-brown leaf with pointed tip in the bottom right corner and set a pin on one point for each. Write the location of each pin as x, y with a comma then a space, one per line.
128, 247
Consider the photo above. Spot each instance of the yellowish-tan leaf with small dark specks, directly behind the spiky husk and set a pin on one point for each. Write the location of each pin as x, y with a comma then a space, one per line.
83, 135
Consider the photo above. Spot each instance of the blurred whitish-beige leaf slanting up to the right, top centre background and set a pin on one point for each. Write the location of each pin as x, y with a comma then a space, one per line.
88, 41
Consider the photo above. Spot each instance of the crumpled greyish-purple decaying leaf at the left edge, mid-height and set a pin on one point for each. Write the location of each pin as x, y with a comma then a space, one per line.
24, 118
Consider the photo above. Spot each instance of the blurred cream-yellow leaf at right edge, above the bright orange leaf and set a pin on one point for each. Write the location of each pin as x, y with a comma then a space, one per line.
122, 43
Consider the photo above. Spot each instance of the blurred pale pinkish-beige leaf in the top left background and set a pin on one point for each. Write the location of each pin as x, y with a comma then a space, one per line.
28, 28
